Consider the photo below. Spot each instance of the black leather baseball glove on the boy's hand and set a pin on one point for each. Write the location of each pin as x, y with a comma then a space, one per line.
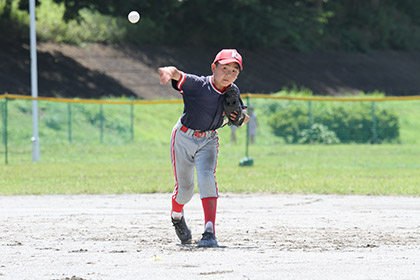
232, 105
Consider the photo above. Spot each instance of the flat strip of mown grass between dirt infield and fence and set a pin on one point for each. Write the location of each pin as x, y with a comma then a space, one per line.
134, 168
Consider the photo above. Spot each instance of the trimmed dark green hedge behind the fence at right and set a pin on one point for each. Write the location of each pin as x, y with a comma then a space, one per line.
350, 124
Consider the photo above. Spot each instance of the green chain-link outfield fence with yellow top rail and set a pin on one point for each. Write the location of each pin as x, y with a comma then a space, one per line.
281, 120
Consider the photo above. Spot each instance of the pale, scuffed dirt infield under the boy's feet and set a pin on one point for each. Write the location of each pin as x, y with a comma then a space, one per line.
261, 237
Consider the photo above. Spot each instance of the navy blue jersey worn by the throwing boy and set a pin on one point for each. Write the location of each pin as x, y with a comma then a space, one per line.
203, 102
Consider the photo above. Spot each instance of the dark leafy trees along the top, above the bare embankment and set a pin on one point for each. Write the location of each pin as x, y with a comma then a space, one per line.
303, 25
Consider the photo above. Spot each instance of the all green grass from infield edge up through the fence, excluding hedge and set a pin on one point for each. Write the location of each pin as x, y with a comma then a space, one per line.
143, 165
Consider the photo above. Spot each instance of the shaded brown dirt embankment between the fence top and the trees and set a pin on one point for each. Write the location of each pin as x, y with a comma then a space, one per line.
95, 71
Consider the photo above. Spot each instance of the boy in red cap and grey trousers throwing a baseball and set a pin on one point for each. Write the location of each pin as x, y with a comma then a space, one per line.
195, 141
